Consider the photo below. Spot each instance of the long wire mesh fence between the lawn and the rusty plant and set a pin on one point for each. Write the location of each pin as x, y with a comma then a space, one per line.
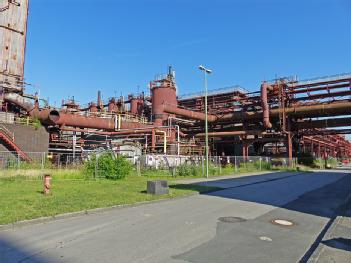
12, 163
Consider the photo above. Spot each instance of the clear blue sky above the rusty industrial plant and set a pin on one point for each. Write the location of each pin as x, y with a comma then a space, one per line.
75, 47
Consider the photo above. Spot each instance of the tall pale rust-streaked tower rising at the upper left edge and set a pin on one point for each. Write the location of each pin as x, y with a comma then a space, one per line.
13, 31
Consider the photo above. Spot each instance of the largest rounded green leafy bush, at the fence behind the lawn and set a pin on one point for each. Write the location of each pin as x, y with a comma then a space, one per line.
108, 166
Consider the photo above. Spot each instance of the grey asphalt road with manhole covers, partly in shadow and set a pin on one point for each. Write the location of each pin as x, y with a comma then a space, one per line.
193, 229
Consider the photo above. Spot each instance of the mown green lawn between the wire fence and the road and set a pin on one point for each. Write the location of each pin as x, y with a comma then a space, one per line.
22, 198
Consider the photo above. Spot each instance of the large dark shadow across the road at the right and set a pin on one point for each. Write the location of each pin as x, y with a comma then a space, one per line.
321, 197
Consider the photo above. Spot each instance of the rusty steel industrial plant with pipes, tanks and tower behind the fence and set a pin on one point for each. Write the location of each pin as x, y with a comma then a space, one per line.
285, 116
